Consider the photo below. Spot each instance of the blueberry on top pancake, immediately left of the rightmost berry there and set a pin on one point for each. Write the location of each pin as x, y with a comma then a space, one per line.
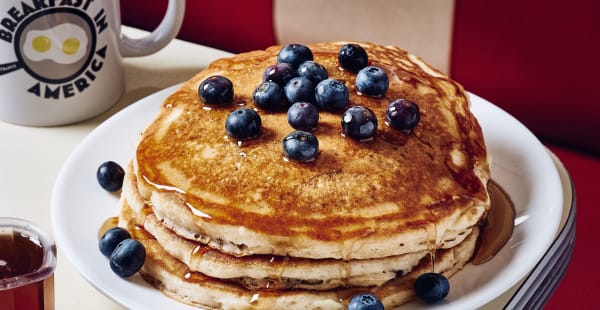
359, 123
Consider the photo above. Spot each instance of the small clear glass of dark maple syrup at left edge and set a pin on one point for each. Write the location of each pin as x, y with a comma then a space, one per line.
26, 267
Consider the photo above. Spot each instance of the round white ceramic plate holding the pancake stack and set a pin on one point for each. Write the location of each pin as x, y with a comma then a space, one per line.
520, 164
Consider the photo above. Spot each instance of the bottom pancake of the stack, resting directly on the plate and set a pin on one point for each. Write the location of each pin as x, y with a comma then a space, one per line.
174, 279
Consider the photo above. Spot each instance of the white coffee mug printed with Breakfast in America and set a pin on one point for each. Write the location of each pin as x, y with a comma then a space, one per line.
62, 61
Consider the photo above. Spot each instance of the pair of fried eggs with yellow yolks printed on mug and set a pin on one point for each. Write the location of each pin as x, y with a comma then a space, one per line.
64, 44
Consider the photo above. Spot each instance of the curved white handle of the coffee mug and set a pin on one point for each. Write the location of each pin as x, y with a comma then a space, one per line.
161, 36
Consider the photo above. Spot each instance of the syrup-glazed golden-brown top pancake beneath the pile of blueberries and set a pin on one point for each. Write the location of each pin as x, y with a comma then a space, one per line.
399, 193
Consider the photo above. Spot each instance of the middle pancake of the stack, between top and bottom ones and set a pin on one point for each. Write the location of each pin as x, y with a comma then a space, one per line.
265, 272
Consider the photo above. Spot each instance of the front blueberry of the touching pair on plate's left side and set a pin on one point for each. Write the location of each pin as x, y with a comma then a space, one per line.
127, 258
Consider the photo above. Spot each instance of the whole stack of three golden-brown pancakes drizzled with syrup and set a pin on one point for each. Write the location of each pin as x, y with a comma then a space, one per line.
234, 225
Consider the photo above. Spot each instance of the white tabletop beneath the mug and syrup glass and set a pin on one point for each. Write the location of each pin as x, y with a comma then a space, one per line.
31, 157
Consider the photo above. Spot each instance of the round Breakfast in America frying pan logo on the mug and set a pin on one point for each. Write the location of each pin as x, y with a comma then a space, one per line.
56, 45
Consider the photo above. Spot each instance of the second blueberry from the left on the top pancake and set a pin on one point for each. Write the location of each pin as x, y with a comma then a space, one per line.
243, 123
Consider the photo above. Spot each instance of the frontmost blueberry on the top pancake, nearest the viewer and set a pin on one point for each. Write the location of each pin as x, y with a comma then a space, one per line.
300, 146
